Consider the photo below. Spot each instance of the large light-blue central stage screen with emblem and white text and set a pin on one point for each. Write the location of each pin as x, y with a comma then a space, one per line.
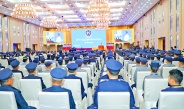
88, 38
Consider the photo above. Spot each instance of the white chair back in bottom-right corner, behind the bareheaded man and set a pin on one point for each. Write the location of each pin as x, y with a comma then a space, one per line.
171, 100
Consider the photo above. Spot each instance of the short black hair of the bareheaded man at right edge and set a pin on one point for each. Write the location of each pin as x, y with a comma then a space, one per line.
177, 75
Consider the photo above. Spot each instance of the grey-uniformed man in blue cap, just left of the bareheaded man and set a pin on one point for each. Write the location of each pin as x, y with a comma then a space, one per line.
154, 68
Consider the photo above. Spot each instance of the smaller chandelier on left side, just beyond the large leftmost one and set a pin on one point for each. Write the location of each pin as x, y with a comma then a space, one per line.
49, 22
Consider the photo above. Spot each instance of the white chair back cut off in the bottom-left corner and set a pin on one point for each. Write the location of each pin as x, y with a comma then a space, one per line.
7, 100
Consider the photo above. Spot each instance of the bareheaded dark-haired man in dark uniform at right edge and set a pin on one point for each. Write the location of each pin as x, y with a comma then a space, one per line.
175, 78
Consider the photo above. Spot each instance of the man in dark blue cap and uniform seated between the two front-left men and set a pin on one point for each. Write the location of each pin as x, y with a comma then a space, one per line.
31, 68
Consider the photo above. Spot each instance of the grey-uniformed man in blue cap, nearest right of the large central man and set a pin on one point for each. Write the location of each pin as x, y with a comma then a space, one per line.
143, 67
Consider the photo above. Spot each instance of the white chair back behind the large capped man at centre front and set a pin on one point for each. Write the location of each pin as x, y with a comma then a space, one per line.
113, 100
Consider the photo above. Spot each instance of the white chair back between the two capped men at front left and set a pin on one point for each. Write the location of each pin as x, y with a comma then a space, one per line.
30, 88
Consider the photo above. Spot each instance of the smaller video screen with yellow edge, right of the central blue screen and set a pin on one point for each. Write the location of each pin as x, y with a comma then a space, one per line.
126, 35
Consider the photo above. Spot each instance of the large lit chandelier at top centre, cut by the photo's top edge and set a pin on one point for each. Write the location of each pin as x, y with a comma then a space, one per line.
98, 7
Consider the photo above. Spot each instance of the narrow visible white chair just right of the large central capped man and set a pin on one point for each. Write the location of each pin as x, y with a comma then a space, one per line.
138, 91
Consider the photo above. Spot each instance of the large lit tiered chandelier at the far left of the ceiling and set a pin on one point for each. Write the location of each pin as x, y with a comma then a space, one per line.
24, 11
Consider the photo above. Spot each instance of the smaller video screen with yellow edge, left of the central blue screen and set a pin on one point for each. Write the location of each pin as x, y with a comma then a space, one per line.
53, 37
